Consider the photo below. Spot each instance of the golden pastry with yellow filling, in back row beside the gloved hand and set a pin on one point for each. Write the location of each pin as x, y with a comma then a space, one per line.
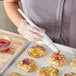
37, 51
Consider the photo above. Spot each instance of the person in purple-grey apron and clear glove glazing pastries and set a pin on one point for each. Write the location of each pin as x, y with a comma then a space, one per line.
55, 17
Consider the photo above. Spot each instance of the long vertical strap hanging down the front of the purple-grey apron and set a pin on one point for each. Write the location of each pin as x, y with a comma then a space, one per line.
58, 20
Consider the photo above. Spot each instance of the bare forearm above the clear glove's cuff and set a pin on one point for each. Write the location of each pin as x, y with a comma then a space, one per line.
11, 9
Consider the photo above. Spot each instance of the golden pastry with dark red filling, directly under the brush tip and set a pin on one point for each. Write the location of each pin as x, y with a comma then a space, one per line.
57, 60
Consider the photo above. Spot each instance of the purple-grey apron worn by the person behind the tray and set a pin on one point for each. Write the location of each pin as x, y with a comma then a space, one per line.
54, 16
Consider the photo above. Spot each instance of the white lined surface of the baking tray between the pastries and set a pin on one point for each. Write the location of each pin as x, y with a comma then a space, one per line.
41, 62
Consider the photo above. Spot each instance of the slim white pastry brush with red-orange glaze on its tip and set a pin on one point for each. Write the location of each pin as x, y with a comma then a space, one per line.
46, 39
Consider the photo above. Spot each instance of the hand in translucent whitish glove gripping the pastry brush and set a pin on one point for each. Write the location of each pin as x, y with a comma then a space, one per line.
29, 32
